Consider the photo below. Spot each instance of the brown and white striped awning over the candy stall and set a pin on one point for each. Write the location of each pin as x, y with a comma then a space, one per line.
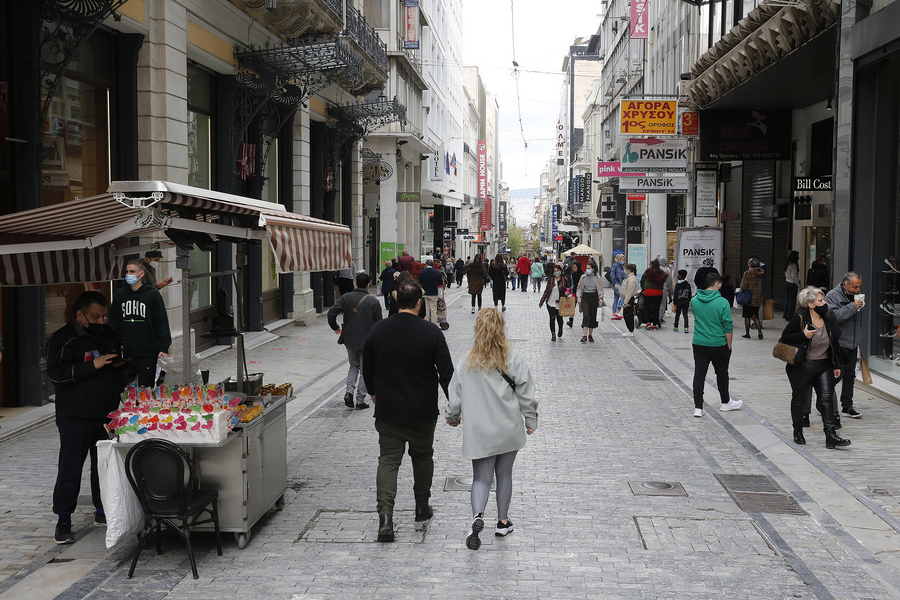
77, 241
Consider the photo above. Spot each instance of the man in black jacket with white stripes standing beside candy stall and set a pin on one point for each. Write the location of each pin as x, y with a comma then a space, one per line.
83, 363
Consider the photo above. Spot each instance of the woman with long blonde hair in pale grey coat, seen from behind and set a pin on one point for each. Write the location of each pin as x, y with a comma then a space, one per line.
493, 390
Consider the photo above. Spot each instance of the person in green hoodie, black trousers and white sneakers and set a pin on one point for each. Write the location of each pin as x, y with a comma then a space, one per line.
713, 329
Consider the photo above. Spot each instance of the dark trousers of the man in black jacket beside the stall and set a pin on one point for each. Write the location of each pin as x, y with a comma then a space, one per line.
77, 439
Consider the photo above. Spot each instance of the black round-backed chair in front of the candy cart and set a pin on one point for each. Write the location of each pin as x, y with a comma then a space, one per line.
163, 477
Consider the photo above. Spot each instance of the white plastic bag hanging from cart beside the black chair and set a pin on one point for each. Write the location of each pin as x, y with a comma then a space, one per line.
124, 515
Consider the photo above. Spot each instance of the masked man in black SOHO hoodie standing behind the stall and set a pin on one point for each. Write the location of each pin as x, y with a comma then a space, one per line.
138, 315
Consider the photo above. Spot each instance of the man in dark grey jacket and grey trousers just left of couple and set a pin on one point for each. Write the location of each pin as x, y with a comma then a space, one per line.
360, 311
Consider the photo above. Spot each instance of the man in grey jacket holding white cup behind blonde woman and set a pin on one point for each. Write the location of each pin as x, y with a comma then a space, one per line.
848, 311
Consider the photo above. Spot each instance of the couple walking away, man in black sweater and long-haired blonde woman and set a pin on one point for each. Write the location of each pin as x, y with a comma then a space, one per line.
493, 379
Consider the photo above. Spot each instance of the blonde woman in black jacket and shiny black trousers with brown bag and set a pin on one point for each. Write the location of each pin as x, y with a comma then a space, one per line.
813, 326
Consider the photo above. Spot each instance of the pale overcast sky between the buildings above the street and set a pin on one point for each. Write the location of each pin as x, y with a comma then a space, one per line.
543, 32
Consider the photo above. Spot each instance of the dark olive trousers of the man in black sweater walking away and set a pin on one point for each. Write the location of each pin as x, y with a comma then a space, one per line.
393, 439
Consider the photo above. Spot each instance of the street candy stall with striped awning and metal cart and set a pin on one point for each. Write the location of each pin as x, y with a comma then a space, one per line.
86, 240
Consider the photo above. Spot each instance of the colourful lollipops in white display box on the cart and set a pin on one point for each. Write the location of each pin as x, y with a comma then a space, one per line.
201, 413
